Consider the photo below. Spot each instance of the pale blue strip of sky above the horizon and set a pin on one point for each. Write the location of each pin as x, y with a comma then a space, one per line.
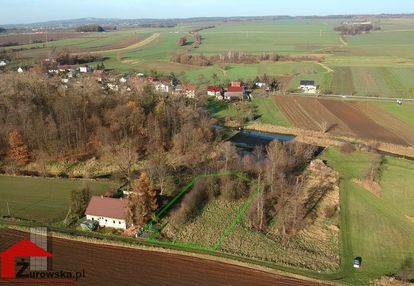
29, 11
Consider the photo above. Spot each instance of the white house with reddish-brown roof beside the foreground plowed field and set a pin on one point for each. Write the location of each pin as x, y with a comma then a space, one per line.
107, 211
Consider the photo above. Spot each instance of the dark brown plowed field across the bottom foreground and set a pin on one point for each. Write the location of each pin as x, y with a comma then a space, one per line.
109, 265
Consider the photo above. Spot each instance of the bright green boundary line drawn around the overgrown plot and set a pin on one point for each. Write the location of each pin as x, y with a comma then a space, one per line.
184, 190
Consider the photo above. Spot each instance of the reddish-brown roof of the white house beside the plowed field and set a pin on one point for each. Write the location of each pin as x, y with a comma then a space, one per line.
107, 207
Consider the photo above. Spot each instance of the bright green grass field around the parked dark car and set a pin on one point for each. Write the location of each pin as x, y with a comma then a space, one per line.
375, 228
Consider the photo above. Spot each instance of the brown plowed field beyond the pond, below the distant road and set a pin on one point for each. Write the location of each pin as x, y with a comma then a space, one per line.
345, 118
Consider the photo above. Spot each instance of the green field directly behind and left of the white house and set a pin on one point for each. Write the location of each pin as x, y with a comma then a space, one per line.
43, 199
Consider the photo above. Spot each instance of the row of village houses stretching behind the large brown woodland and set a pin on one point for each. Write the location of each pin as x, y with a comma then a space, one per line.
235, 91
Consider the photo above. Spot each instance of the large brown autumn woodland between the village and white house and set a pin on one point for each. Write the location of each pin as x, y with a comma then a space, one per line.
41, 119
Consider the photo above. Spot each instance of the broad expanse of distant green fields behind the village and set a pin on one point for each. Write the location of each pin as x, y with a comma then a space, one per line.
379, 63
